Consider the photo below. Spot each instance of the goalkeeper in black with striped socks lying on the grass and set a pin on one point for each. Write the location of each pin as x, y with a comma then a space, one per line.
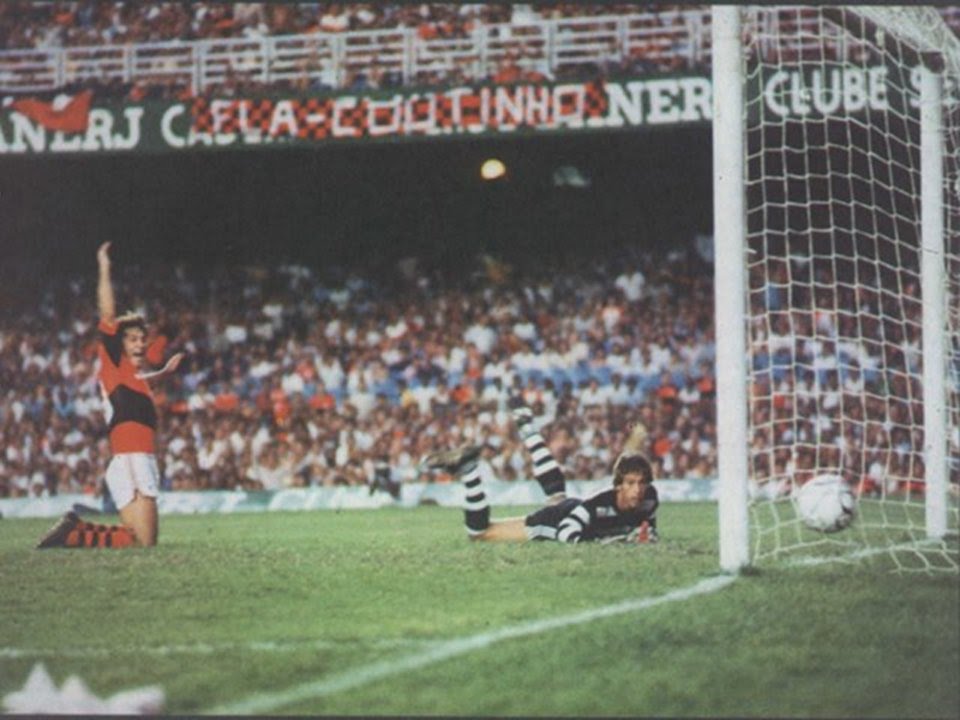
627, 511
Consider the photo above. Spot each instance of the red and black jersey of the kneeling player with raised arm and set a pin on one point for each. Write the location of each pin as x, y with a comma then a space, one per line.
131, 414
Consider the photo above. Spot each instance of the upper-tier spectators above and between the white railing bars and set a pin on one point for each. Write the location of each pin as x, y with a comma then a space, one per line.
77, 24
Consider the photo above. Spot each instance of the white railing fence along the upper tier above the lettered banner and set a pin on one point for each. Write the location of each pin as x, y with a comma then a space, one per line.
334, 60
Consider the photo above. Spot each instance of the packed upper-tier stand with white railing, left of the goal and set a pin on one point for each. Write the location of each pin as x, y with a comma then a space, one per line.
177, 49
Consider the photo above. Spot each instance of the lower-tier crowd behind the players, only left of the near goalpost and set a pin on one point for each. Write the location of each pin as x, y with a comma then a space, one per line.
293, 379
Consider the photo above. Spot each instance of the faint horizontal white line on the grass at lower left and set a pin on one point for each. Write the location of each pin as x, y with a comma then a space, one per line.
13, 653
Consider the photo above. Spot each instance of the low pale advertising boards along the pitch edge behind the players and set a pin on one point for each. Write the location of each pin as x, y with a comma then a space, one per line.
344, 498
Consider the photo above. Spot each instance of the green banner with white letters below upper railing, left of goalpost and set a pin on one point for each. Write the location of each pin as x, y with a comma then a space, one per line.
69, 125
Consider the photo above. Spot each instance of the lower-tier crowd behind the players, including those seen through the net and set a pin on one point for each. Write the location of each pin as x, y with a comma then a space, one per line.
297, 379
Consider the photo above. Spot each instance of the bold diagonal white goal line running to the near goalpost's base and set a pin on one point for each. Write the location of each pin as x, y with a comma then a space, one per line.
263, 703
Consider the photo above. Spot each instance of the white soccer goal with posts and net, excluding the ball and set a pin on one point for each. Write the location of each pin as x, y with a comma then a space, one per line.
837, 224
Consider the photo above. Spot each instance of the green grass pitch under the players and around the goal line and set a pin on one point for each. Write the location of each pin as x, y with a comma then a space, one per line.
232, 608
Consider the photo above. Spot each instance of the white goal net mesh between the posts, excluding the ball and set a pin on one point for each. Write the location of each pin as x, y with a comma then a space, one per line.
833, 233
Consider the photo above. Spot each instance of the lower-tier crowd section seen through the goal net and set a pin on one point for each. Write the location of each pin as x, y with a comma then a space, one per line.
834, 385
